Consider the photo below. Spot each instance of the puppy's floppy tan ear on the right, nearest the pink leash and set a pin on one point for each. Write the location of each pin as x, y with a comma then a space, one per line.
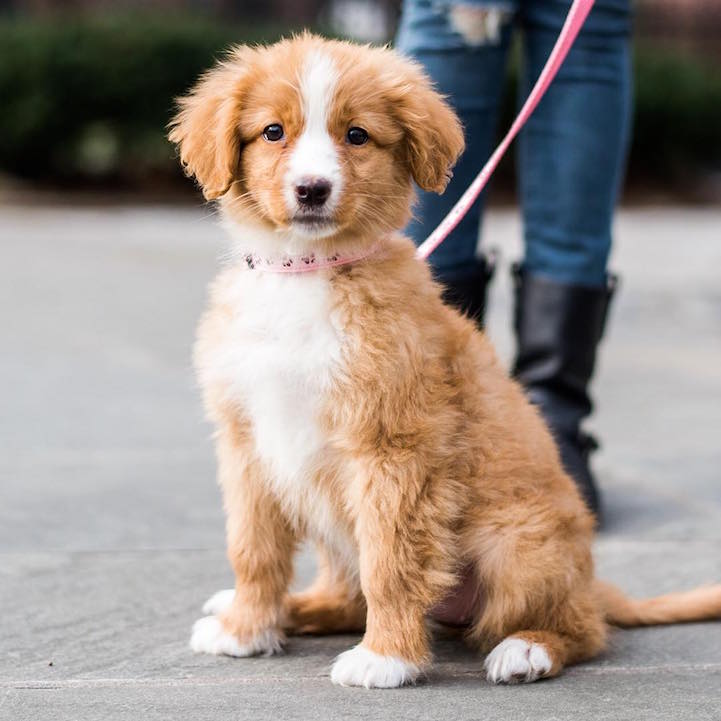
434, 134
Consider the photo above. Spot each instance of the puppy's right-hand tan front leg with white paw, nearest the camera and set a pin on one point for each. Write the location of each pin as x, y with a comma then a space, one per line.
402, 572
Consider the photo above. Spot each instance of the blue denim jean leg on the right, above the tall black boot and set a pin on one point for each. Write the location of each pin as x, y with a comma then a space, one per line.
572, 151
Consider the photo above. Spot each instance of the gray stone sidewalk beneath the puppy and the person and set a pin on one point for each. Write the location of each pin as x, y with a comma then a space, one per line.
111, 533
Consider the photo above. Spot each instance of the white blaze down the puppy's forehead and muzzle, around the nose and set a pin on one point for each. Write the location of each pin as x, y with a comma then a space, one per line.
314, 154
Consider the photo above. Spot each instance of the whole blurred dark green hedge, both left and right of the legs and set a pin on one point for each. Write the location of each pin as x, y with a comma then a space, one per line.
88, 99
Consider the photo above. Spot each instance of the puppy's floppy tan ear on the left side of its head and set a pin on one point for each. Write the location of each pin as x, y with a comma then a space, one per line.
206, 125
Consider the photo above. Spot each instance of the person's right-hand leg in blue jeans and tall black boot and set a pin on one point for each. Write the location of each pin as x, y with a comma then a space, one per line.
571, 162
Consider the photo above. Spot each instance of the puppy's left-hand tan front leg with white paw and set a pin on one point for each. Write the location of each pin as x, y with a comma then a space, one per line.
247, 620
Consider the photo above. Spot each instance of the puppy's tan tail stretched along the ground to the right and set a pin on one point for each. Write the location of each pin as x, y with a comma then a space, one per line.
700, 604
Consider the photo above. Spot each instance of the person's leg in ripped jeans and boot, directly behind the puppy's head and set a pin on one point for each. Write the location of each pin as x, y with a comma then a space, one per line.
463, 47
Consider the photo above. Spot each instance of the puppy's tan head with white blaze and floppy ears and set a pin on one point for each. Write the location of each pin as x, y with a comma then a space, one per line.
318, 138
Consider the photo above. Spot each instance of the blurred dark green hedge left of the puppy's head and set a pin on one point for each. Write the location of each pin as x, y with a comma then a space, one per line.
90, 98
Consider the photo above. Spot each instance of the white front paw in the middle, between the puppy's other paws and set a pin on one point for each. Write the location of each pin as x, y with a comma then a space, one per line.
362, 667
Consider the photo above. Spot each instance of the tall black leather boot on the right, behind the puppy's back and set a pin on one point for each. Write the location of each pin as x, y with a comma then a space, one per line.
558, 328
